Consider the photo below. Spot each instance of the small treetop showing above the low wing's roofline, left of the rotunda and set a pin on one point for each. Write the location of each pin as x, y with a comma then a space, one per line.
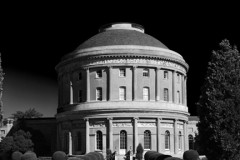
31, 113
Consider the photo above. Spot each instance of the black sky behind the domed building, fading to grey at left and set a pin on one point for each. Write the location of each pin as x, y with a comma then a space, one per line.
33, 40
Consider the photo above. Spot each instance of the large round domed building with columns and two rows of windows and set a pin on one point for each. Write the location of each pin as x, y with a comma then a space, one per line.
120, 88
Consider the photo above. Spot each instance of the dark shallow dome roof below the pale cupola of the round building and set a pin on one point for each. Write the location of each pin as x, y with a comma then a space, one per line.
121, 37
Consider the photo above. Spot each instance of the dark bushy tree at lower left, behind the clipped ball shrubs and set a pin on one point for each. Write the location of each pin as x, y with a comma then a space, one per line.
20, 141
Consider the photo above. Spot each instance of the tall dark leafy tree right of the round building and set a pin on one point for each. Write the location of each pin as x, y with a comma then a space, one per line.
219, 106
